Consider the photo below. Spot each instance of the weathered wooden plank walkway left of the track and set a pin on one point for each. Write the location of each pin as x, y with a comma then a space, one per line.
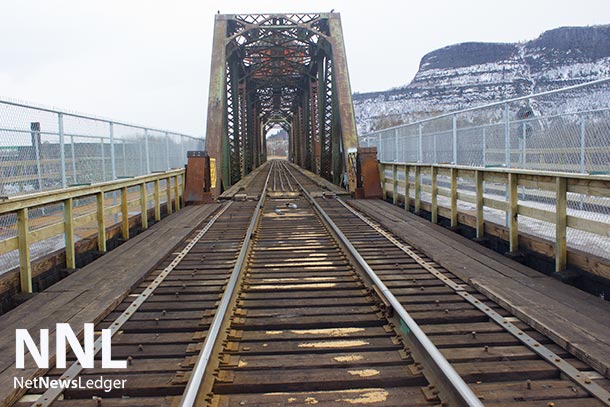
91, 293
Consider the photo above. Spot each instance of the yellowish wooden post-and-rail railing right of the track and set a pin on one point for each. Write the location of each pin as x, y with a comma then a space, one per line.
467, 184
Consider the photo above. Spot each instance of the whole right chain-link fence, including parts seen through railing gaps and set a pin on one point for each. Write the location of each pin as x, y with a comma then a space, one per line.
564, 130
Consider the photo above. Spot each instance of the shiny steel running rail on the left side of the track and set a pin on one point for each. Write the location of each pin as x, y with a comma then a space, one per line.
195, 381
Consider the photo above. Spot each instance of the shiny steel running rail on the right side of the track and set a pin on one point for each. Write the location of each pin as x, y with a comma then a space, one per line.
451, 384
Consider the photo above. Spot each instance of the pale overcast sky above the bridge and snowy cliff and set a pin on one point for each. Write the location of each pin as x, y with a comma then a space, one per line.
148, 61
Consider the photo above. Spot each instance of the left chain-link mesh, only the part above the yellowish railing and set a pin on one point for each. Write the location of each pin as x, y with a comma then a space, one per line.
43, 149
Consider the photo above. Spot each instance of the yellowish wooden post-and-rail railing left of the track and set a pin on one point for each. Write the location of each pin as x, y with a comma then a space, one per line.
74, 217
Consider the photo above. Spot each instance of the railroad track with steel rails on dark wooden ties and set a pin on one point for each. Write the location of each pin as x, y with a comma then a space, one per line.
296, 300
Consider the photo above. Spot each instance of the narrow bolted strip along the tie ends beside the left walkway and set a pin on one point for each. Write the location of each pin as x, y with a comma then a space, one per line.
48, 397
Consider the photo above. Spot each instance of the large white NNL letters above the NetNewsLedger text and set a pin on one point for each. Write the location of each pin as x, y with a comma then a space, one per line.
63, 333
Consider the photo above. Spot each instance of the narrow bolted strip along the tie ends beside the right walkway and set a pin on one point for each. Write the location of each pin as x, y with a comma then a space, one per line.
580, 377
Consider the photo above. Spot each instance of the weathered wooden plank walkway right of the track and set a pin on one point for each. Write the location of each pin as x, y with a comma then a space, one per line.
575, 320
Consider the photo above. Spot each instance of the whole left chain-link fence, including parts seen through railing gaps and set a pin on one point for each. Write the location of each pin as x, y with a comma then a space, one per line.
42, 149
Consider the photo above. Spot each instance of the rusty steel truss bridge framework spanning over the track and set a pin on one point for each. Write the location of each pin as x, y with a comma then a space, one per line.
286, 70
